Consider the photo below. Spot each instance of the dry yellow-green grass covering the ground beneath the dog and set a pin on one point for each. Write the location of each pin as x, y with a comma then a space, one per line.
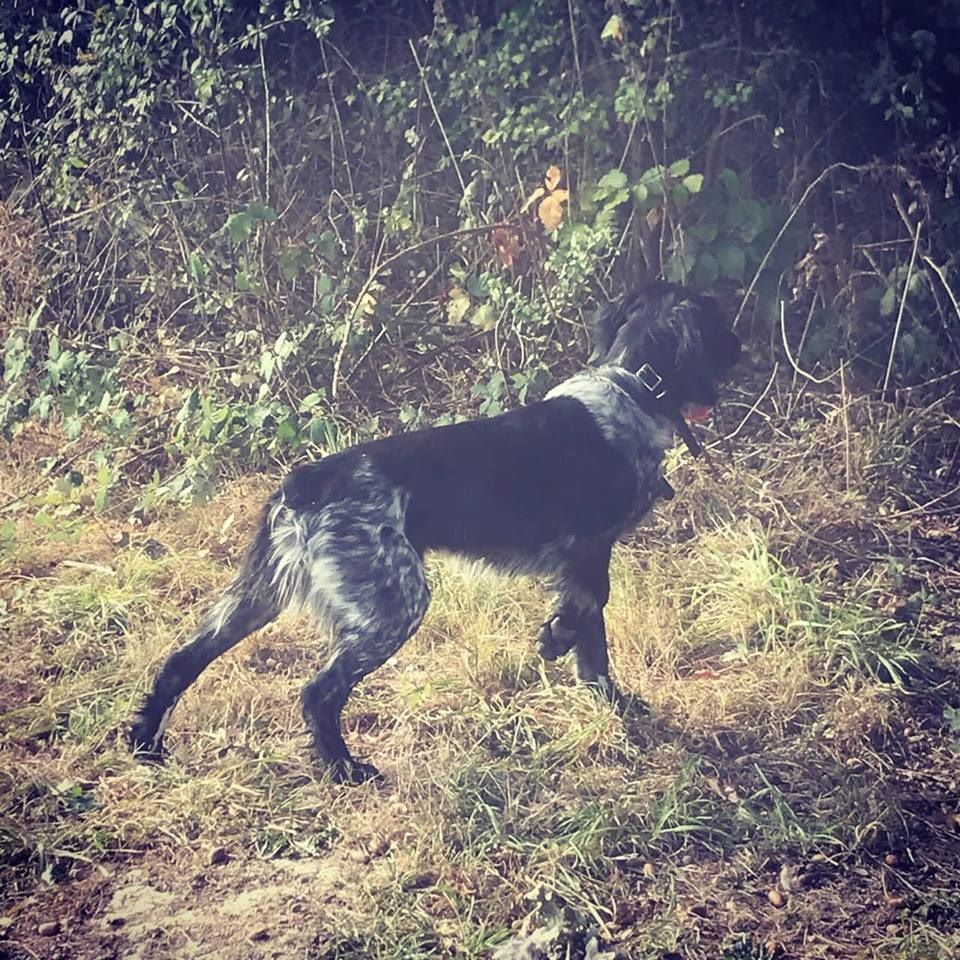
791, 791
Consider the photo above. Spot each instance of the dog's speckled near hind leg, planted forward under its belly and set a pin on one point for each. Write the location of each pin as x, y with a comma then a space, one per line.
373, 588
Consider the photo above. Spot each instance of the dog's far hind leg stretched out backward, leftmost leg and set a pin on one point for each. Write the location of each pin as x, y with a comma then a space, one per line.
250, 602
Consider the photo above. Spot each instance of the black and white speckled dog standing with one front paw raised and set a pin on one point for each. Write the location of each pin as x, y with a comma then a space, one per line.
545, 489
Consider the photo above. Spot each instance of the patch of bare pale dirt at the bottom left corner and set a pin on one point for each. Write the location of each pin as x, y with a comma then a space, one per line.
228, 910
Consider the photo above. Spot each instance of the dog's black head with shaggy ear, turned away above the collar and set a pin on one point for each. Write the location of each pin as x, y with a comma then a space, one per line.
680, 335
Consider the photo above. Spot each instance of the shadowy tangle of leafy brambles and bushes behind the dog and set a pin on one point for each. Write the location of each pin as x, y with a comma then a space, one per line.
233, 230
